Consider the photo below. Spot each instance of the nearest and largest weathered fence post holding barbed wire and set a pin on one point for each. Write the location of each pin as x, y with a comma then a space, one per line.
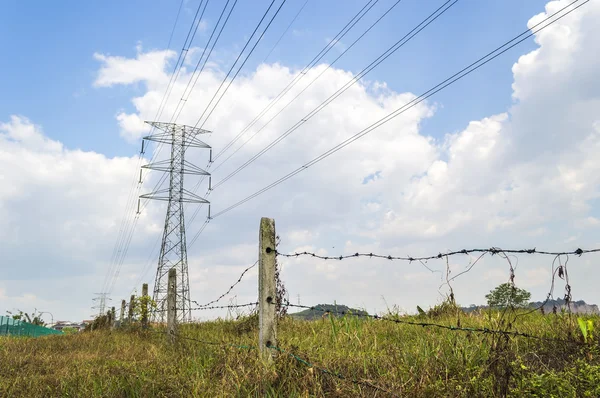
267, 289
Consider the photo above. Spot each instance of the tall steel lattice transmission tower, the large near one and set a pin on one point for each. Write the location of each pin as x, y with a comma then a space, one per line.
173, 252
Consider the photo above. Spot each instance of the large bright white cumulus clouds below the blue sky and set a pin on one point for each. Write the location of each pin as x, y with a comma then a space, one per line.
522, 177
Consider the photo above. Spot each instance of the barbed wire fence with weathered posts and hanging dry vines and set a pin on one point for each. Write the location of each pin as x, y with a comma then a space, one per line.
269, 300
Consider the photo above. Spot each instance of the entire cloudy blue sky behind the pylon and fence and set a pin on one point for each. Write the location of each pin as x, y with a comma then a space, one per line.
519, 166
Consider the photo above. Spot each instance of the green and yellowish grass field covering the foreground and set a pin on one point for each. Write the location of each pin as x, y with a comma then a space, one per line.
408, 360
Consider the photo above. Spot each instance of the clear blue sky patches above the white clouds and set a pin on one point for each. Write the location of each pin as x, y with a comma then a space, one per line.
51, 78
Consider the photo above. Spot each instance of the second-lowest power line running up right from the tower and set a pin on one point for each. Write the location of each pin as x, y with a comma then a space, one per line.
395, 47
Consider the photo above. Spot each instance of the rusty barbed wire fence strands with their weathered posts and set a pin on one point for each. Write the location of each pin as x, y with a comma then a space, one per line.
268, 345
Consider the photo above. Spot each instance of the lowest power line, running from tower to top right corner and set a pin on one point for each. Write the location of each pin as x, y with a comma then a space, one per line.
440, 86
